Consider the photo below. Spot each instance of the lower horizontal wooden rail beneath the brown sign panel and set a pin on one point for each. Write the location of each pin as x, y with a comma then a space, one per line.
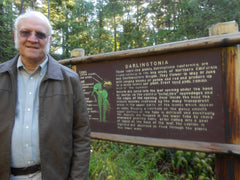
209, 147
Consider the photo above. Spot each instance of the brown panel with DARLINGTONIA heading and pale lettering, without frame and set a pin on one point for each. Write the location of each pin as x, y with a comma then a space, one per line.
173, 96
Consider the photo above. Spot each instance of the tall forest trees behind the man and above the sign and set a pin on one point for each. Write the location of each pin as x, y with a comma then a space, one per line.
112, 25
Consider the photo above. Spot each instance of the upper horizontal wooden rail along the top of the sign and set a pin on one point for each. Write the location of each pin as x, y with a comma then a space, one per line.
199, 43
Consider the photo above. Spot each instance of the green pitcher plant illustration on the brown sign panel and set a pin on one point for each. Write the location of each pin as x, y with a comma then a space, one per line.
103, 102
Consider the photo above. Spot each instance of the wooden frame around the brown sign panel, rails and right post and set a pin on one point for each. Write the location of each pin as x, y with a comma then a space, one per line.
230, 78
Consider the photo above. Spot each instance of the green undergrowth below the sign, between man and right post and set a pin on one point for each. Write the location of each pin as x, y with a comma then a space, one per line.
119, 161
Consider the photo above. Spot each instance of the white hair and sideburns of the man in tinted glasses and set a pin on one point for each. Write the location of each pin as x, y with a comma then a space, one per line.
30, 13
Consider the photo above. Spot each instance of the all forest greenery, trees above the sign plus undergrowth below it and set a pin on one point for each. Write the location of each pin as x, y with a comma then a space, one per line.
101, 26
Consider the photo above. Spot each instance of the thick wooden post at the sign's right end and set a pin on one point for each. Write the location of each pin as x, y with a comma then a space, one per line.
227, 166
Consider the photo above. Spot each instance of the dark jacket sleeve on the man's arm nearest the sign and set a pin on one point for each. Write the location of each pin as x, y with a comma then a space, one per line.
81, 136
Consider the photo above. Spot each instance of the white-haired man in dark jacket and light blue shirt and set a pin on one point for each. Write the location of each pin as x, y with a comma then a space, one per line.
44, 127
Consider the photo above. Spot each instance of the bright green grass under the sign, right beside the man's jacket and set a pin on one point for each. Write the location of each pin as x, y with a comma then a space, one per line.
122, 161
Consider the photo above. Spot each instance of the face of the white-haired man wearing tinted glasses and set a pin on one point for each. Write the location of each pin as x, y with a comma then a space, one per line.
32, 39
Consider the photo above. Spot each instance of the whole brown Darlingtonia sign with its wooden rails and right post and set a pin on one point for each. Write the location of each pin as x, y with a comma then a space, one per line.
182, 95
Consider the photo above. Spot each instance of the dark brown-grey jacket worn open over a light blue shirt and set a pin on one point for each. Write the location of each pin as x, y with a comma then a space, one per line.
64, 133
